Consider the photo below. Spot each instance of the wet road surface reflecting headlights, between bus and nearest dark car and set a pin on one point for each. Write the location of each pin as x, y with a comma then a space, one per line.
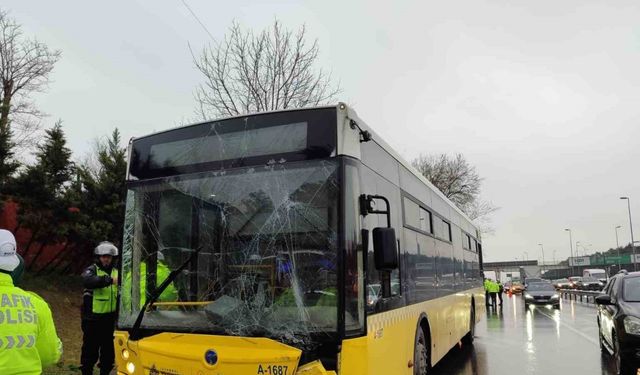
538, 341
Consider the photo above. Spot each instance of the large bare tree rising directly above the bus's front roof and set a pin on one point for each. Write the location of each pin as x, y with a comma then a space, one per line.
253, 72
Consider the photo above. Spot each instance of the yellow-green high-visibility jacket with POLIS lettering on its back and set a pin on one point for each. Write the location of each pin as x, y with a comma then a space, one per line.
28, 339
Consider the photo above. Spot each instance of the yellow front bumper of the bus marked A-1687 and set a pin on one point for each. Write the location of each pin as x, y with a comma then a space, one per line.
183, 353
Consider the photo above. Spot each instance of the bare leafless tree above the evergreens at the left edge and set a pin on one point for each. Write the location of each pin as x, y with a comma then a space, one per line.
25, 65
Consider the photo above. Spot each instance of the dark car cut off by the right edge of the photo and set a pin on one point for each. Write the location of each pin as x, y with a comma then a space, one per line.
619, 320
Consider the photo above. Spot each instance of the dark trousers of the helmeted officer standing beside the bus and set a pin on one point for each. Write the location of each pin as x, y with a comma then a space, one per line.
97, 343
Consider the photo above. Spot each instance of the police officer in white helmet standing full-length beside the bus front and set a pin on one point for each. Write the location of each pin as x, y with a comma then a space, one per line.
100, 281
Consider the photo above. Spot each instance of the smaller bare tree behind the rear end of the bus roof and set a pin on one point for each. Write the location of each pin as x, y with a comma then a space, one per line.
460, 182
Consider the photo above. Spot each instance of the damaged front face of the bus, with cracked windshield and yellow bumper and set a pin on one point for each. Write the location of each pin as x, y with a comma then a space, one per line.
230, 261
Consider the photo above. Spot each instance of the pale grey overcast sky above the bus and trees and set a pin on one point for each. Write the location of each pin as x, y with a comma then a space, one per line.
542, 96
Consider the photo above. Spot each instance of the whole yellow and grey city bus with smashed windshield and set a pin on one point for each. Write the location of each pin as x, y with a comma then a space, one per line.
289, 242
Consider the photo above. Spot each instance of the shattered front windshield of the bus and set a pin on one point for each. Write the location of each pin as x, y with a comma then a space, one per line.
268, 259
